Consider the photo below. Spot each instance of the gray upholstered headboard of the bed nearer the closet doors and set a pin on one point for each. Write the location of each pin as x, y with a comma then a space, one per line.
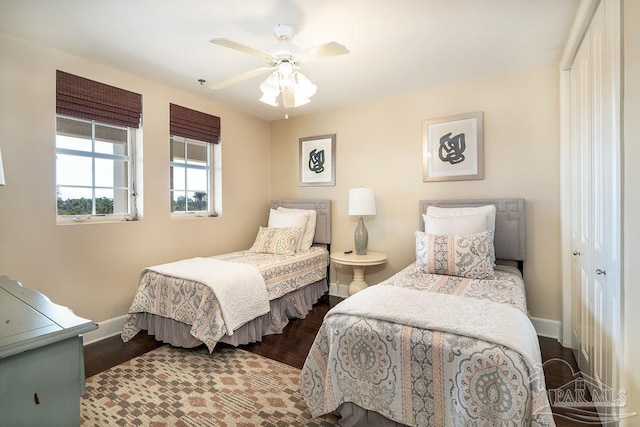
509, 240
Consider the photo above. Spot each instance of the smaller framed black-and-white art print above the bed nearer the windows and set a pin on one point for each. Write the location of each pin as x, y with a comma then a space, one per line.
318, 160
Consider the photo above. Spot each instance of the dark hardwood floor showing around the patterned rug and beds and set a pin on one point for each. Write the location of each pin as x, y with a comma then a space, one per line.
291, 347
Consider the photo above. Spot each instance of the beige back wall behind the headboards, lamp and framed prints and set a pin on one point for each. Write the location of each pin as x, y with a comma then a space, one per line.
379, 145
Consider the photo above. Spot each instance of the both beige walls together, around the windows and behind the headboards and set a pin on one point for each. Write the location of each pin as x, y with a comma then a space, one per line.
93, 267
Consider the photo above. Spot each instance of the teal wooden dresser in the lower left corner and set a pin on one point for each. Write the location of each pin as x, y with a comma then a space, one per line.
41, 359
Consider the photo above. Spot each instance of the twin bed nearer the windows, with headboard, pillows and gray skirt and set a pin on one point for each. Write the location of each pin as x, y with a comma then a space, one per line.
176, 302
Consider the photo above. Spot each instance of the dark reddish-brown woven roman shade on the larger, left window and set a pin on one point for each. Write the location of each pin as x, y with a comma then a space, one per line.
88, 99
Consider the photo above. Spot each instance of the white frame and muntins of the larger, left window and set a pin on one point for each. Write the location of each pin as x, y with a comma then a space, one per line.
132, 212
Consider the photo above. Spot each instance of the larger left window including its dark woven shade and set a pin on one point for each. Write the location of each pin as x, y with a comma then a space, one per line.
96, 128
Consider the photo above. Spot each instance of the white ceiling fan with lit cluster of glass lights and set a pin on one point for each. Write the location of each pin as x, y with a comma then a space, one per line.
283, 63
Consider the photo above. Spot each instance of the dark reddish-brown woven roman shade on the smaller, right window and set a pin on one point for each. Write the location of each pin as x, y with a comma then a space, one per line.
192, 124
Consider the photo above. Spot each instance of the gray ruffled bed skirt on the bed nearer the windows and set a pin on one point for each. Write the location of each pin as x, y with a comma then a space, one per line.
294, 305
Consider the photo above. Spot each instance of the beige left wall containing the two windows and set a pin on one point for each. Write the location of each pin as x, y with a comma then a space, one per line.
93, 268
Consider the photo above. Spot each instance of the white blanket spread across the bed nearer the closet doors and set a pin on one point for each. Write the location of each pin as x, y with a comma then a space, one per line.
484, 319
